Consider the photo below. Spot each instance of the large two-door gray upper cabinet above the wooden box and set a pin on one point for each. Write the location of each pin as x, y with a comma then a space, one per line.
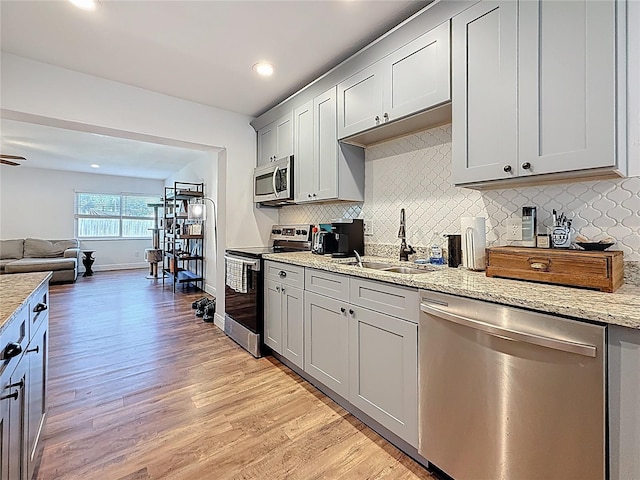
534, 90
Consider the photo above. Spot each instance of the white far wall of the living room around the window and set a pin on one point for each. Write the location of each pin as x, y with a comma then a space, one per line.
40, 203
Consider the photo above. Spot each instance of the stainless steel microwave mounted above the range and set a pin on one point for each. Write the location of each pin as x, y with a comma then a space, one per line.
273, 182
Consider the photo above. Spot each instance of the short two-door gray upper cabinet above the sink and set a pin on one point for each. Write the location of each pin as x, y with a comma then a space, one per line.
413, 78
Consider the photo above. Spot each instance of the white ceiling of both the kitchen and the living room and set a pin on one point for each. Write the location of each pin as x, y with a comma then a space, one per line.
201, 51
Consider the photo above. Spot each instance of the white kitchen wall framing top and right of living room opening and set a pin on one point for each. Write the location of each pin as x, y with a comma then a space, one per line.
41, 93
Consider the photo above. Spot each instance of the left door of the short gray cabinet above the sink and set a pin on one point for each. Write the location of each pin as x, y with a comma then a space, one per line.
360, 102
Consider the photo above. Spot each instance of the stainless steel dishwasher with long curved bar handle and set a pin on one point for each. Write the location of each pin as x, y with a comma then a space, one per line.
510, 394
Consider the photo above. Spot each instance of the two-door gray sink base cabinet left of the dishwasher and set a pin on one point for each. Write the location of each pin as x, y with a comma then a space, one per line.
361, 341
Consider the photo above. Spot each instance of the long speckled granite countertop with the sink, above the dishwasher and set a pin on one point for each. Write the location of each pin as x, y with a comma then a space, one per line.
619, 308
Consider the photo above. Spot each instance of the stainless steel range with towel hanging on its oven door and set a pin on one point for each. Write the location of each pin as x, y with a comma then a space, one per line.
244, 311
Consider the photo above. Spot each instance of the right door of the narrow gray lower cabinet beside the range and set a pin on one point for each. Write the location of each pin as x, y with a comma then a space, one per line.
293, 325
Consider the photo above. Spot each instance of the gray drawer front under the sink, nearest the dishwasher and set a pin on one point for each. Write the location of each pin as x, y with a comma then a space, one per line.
398, 301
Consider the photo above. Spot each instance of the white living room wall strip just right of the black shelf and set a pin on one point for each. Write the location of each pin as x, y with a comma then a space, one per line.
205, 171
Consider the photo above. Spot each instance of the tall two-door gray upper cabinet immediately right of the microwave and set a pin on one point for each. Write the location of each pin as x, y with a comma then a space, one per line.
325, 170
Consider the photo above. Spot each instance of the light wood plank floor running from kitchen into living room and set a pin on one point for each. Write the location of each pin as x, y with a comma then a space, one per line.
140, 388
